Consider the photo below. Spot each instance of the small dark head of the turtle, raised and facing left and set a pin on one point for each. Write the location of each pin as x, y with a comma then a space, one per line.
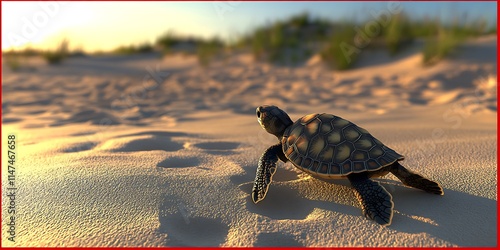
273, 120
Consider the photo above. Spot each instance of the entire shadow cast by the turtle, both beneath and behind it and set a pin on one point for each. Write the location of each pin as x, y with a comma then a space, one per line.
459, 218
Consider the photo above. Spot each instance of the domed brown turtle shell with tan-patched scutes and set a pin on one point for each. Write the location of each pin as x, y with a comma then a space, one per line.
332, 147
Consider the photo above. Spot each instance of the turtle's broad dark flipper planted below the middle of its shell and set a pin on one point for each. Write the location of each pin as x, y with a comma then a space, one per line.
375, 201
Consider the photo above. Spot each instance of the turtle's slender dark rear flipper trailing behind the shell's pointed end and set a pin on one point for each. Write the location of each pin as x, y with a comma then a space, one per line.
415, 180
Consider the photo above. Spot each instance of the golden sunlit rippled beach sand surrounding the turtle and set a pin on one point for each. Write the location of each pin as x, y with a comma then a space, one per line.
144, 151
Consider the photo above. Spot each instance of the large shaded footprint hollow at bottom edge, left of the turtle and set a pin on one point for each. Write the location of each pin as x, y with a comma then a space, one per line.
183, 230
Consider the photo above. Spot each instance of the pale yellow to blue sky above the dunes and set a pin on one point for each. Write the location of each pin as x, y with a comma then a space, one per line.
102, 26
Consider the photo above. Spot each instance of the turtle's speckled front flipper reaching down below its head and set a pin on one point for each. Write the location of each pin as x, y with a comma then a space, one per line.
265, 172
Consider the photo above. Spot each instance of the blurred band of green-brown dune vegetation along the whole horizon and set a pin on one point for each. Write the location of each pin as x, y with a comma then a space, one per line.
293, 41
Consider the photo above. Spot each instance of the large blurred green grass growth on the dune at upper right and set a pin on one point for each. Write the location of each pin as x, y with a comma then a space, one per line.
333, 40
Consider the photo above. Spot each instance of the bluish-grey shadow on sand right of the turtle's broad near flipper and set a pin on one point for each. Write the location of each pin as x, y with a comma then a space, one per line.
459, 218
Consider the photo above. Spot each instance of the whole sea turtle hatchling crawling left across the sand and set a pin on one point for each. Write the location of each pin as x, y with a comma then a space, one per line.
328, 146
